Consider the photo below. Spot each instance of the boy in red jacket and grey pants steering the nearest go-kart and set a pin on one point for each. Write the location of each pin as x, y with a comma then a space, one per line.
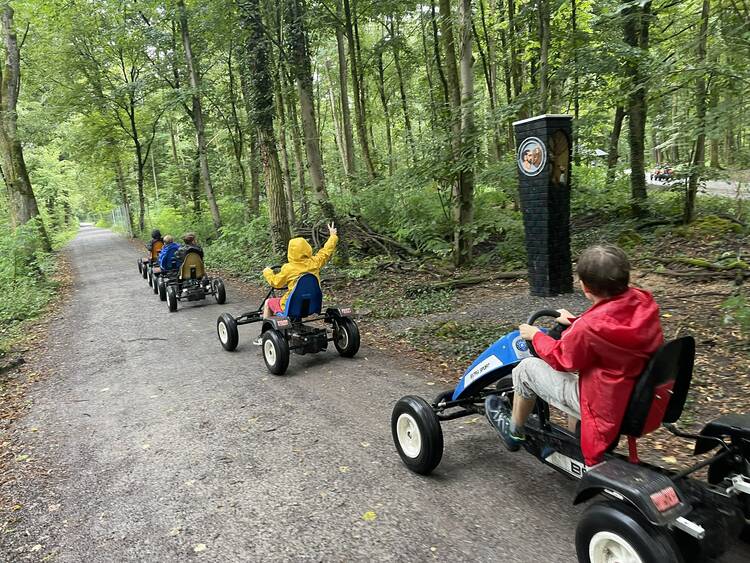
591, 371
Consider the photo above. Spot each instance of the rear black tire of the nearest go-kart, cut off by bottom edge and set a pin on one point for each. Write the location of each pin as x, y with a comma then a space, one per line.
611, 525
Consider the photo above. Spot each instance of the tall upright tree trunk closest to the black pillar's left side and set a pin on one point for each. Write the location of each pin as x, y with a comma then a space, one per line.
463, 210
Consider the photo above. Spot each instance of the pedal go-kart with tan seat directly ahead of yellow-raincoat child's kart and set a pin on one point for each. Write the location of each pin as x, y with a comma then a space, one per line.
189, 282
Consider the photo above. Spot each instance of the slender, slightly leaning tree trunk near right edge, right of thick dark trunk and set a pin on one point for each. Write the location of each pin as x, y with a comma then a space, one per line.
699, 152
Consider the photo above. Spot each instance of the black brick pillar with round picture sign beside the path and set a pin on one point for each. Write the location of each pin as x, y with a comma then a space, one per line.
544, 164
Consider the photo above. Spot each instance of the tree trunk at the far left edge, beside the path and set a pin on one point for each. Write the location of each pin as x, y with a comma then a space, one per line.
22, 201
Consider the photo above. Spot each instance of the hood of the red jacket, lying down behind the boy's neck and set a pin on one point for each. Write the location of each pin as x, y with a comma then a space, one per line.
629, 321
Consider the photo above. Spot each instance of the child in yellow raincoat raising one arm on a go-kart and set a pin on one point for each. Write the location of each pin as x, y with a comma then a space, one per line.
301, 261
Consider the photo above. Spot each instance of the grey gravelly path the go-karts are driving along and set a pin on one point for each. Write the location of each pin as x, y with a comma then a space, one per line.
163, 447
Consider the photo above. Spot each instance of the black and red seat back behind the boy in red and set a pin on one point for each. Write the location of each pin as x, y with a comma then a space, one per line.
659, 394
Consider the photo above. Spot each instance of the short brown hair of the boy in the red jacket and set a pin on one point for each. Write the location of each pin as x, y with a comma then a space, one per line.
604, 269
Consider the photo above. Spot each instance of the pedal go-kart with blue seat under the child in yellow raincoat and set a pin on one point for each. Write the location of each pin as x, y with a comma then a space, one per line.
292, 331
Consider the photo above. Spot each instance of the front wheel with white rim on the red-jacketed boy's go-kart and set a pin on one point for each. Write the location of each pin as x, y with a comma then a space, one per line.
417, 434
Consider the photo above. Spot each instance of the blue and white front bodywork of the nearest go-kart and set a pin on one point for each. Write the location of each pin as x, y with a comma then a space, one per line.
495, 362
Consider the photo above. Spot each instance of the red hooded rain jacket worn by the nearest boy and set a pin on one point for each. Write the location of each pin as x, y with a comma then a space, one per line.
609, 346
